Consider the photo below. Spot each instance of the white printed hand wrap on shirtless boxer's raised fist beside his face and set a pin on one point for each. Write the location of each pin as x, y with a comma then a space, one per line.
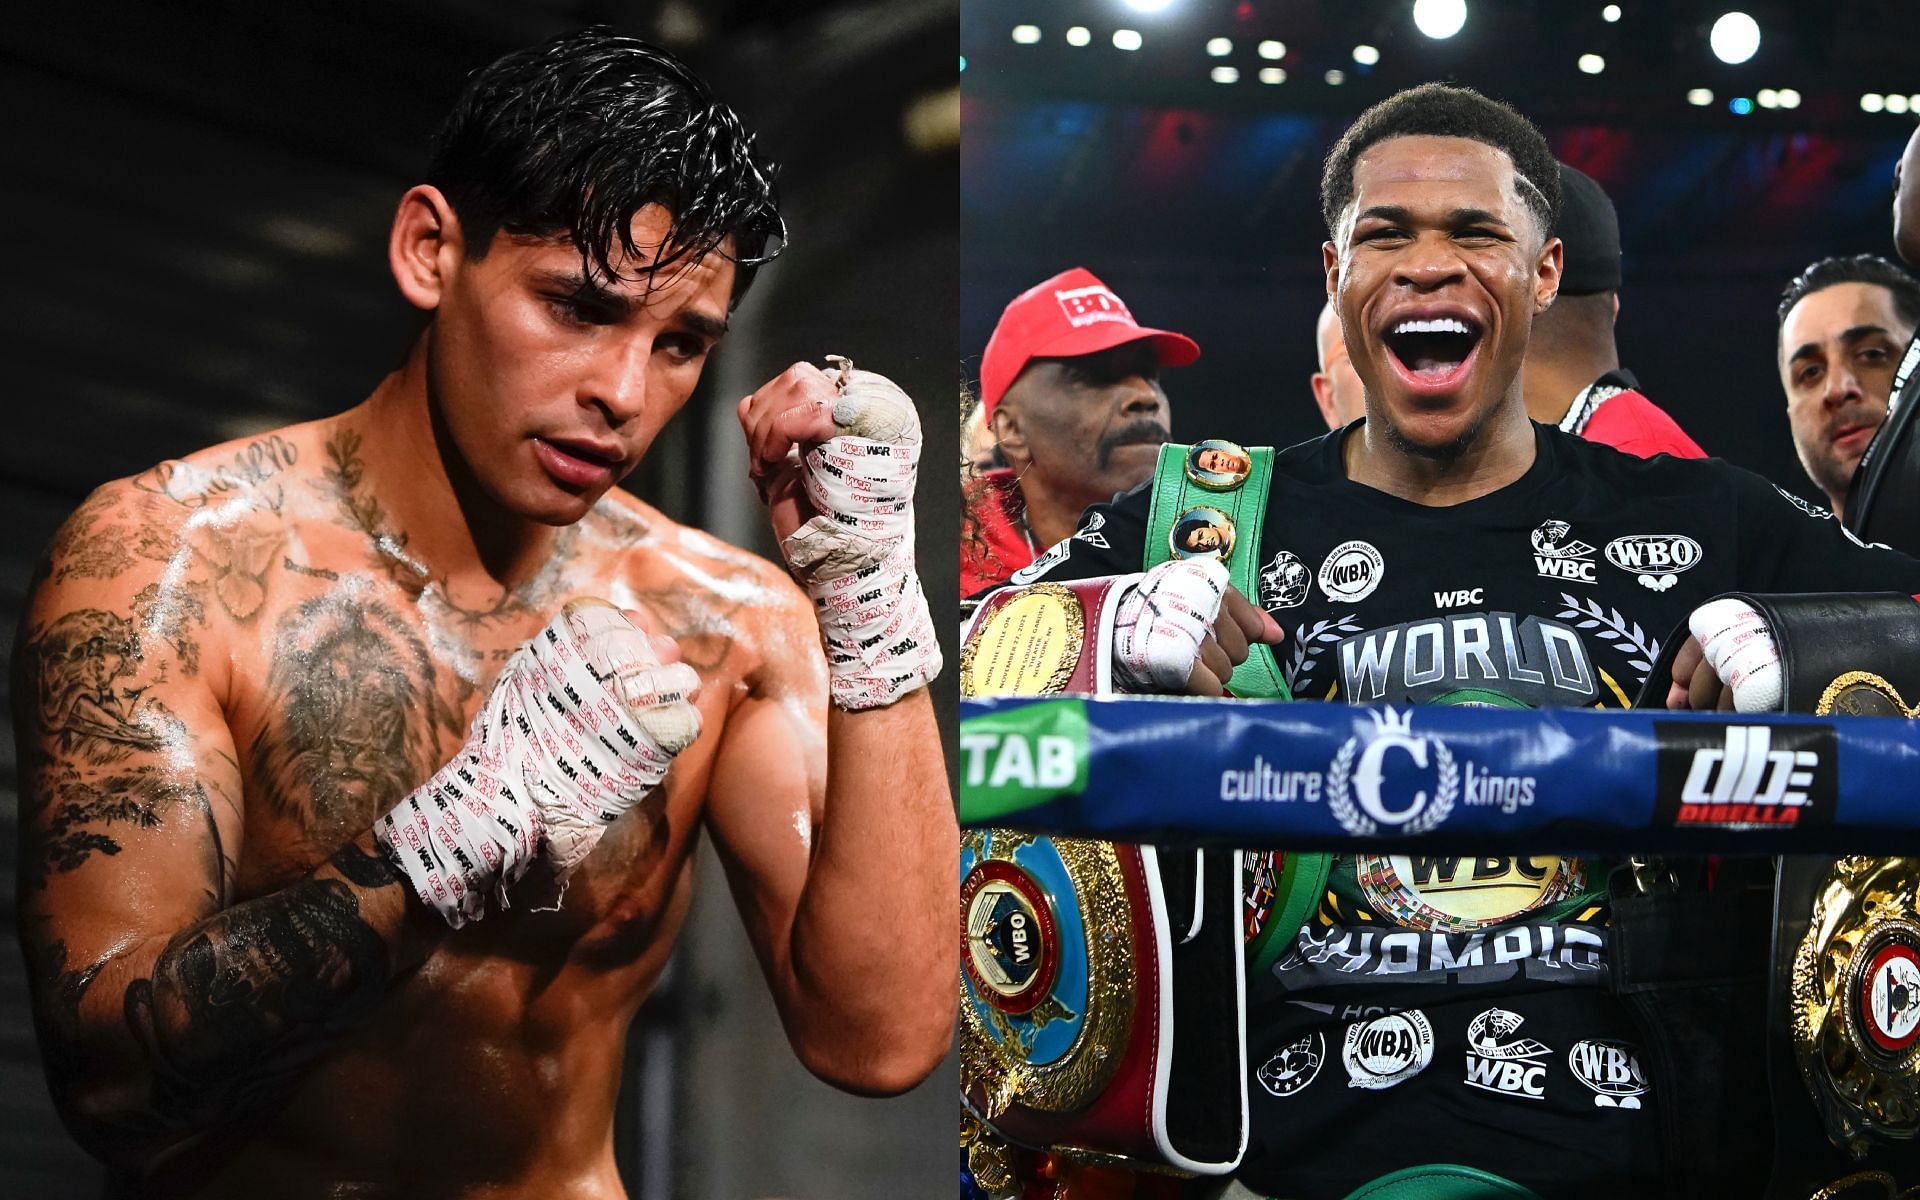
857, 558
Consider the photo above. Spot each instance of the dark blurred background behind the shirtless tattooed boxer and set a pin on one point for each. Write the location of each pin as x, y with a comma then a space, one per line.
197, 210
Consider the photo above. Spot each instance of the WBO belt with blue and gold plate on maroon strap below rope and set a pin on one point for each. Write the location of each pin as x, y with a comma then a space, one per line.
1078, 957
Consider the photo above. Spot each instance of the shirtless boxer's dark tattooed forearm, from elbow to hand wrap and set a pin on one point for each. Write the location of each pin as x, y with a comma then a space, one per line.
212, 1020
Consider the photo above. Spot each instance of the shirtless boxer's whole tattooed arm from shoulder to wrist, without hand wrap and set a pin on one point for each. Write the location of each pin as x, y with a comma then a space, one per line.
162, 1007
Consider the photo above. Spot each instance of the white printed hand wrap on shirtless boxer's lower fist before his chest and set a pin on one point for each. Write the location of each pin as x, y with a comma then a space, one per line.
581, 725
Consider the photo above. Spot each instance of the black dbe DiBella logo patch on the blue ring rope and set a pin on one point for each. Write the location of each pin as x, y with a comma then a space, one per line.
1746, 777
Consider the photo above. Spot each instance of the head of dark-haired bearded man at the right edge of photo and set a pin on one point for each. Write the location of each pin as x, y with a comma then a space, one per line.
1844, 325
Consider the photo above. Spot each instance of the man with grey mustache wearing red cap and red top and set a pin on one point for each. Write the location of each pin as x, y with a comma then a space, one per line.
1070, 387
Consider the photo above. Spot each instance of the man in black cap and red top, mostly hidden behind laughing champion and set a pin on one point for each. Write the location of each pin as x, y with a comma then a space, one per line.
1573, 370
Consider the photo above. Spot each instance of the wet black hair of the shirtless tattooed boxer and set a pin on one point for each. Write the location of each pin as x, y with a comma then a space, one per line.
575, 137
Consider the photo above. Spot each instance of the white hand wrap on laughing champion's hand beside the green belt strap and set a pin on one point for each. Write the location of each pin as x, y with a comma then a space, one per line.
1163, 621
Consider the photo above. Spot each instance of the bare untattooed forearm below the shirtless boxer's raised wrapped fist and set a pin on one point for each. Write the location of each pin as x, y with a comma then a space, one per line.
875, 948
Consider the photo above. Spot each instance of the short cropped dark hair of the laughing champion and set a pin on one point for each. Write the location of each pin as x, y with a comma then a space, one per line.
1441, 110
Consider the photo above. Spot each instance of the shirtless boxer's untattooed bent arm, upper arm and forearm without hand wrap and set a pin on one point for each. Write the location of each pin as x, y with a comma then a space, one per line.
840, 842
